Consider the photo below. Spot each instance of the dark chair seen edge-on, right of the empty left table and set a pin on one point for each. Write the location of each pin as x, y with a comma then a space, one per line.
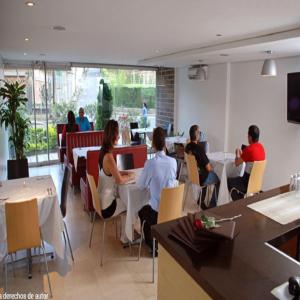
63, 205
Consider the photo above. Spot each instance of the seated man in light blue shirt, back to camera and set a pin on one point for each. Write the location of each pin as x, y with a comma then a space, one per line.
158, 173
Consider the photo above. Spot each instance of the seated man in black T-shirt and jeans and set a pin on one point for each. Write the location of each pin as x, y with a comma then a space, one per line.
206, 174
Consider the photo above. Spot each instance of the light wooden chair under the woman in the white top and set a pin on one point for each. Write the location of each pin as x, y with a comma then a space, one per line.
98, 210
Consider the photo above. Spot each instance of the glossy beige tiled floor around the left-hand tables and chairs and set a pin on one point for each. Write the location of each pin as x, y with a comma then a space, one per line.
121, 277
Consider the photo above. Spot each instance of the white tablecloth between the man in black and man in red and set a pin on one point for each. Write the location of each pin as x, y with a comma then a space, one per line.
224, 167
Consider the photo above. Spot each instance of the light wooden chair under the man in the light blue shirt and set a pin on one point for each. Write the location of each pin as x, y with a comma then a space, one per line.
170, 208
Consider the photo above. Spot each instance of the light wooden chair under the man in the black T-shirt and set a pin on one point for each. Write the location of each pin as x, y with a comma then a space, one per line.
193, 177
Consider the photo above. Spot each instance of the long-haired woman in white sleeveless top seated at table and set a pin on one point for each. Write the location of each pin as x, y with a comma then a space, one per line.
109, 175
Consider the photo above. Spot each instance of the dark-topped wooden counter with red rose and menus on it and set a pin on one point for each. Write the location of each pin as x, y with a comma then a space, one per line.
243, 269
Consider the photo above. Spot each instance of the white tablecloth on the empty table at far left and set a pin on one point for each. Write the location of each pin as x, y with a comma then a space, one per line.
50, 217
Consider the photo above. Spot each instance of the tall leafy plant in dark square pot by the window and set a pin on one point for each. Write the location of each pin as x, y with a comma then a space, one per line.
12, 117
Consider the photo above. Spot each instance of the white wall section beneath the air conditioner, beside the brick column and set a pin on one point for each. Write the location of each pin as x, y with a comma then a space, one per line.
202, 103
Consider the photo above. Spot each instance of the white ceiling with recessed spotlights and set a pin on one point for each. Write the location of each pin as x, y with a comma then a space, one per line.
147, 32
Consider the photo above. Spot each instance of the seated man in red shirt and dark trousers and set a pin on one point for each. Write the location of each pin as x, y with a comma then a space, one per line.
254, 152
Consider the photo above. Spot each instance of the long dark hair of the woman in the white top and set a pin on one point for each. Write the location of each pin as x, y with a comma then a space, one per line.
111, 131
